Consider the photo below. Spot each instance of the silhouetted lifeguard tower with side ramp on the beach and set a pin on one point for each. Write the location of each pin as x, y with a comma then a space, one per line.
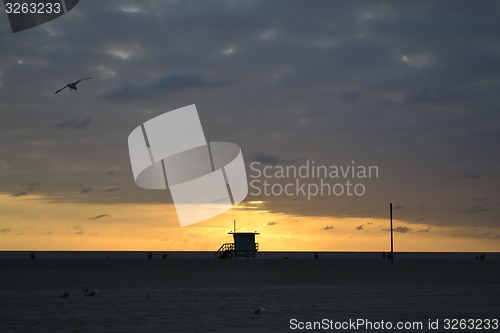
244, 246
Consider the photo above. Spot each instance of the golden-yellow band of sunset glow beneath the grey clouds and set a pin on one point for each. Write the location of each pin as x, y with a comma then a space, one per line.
48, 225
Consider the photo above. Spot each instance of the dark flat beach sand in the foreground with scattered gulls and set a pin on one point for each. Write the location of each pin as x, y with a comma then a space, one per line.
218, 295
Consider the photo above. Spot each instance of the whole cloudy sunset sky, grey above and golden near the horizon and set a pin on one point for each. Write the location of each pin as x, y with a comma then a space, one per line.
407, 87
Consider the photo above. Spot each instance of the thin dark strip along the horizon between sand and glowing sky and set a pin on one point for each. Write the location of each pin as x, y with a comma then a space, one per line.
29, 254
